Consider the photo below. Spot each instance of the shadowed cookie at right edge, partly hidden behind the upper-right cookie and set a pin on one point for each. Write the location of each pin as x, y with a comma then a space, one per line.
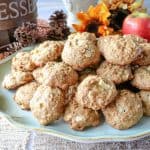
144, 58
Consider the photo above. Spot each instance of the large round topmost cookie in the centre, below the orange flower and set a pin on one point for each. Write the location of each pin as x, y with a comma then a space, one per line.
81, 51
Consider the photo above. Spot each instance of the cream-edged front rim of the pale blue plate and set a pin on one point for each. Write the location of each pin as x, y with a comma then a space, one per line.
73, 137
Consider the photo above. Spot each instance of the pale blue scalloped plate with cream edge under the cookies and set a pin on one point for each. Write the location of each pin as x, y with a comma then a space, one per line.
24, 119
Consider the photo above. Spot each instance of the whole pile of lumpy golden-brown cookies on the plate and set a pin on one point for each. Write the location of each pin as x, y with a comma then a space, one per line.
82, 77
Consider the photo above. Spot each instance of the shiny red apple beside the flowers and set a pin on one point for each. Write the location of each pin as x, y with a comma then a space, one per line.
138, 24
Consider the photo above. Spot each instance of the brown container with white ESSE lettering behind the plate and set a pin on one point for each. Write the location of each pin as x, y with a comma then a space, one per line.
12, 14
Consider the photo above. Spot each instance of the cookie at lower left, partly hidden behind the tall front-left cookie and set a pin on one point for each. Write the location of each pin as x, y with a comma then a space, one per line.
24, 94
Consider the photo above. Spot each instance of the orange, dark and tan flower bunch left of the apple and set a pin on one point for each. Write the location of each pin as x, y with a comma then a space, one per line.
106, 17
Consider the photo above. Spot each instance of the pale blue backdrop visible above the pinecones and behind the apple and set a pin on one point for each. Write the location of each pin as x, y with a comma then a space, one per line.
46, 7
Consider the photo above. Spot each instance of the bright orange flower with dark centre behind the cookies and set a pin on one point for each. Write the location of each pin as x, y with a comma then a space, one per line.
94, 20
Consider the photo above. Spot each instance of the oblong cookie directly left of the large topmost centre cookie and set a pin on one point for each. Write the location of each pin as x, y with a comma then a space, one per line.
47, 51
